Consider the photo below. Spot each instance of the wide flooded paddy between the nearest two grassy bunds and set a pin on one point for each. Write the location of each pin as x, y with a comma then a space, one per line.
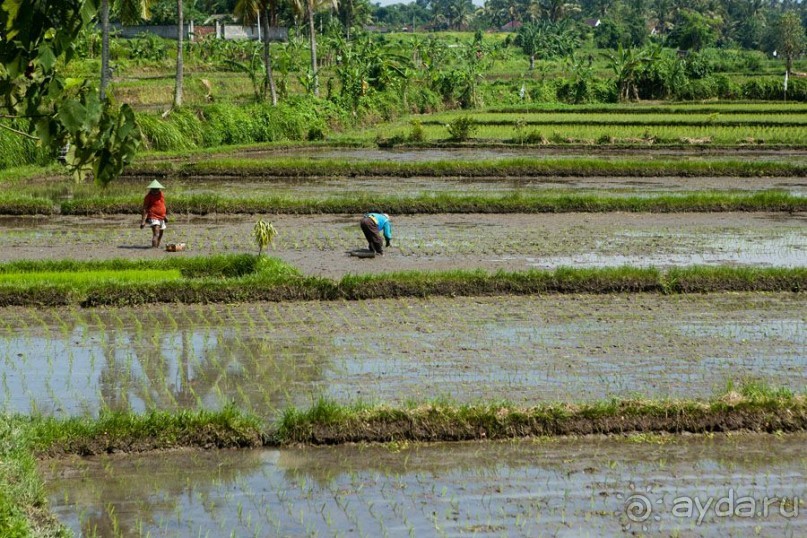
266, 356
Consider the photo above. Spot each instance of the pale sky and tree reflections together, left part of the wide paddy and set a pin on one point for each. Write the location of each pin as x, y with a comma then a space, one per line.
77, 362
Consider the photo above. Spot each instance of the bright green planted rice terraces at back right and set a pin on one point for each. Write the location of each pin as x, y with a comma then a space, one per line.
626, 125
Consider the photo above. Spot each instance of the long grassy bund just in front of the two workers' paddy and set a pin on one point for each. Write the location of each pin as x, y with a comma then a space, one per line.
274, 280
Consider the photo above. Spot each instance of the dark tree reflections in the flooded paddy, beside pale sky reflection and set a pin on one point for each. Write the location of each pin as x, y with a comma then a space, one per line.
168, 362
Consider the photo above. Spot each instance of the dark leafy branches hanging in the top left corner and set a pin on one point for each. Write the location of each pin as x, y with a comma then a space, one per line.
37, 38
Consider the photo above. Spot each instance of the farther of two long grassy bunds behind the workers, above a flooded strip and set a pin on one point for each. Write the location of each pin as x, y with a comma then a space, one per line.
517, 167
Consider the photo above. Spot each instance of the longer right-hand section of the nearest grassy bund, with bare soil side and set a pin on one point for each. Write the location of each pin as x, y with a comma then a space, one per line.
753, 408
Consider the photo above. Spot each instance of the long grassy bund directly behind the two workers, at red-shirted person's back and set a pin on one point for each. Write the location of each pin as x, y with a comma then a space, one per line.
453, 203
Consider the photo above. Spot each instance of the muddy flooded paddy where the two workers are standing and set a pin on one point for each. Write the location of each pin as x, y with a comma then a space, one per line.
320, 244
